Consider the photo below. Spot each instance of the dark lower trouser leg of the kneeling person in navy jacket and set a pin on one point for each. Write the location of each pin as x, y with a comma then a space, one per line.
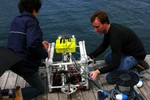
36, 88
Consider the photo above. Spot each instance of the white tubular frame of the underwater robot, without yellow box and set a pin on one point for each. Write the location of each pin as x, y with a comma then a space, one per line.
49, 64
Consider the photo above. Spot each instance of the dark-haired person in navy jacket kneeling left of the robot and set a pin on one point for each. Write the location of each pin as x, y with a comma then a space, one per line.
26, 41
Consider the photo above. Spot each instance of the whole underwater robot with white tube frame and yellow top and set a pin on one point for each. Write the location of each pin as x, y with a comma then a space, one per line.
66, 47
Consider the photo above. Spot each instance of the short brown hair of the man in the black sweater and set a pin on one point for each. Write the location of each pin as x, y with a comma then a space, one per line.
101, 15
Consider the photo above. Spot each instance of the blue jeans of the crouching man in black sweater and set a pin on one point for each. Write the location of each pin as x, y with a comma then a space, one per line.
127, 62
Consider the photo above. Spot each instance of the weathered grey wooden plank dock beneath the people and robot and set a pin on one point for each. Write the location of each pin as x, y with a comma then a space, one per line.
11, 80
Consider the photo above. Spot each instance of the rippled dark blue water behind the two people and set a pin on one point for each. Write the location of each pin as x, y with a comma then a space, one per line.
58, 17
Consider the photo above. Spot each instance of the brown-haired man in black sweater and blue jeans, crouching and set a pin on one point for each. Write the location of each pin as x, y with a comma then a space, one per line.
126, 48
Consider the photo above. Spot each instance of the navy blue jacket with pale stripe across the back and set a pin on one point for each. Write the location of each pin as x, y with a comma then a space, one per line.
25, 38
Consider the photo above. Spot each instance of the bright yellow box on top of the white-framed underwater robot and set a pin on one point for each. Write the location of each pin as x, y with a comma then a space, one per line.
65, 45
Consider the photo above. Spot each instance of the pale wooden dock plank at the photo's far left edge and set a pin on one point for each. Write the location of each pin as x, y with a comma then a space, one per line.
3, 79
